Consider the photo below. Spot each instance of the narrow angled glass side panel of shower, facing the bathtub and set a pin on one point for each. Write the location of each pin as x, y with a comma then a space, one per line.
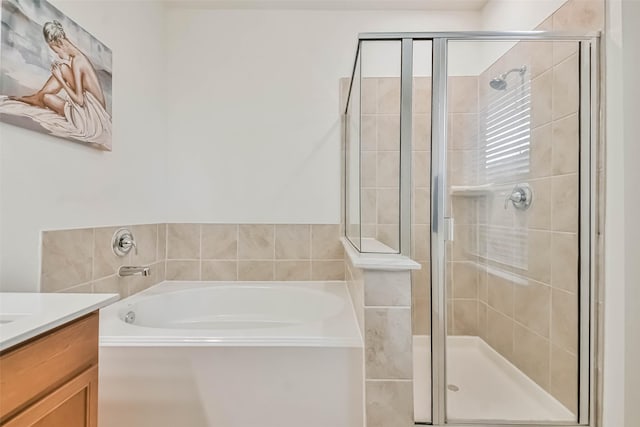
352, 156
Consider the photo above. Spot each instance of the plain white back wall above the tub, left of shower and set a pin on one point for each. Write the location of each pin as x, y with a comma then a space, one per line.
253, 111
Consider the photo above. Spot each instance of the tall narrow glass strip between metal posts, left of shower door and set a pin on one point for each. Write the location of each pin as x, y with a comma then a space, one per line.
421, 230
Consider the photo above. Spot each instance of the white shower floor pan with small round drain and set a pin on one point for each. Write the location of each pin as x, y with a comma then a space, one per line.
483, 385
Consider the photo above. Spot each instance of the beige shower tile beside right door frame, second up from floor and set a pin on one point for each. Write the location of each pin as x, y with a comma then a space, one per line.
564, 320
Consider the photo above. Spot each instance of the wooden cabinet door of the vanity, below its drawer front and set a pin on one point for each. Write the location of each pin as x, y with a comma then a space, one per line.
74, 404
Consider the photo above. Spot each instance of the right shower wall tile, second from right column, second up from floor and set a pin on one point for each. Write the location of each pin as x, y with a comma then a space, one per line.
532, 307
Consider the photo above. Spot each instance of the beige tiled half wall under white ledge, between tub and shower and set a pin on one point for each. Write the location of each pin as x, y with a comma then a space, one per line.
382, 302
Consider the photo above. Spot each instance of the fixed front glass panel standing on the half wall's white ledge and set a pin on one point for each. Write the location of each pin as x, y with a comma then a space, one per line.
380, 145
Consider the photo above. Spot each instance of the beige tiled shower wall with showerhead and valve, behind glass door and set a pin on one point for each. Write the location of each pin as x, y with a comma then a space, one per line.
533, 324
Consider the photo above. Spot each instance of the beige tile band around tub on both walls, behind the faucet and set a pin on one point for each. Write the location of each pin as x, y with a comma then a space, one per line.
81, 260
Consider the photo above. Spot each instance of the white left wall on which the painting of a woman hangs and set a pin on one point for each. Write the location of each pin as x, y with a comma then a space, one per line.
47, 183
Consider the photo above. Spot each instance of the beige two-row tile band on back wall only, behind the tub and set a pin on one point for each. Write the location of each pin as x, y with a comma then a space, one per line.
254, 252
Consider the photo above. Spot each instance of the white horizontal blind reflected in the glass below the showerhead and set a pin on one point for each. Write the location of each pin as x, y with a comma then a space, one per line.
506, 130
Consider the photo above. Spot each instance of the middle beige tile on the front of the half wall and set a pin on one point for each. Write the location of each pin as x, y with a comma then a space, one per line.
388, 343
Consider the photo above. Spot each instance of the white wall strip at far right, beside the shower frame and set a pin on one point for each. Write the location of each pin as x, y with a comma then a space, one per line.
622, 251
